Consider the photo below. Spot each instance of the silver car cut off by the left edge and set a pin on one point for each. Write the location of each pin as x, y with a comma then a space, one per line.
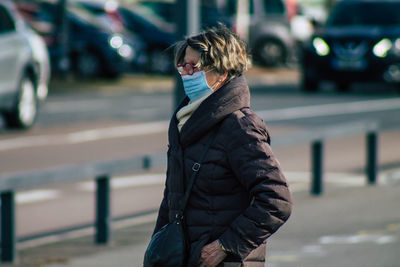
24, 69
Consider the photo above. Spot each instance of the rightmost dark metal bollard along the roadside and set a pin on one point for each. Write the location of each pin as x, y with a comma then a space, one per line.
372, 156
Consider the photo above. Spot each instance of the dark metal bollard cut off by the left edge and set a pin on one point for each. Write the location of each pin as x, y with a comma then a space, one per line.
7, 227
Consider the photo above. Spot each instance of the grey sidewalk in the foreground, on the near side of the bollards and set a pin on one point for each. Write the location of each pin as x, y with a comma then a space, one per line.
347, 226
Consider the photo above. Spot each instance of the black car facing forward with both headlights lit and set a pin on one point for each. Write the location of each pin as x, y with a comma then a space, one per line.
360, 42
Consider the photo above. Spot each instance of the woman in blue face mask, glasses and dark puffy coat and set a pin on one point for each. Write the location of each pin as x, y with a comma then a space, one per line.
240, 196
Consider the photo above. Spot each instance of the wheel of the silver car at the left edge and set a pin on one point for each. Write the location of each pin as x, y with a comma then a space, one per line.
24, 112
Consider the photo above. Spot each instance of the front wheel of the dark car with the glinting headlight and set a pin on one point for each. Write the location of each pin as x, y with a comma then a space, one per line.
88, 65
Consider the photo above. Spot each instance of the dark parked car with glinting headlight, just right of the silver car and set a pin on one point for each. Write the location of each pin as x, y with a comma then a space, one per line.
95, 46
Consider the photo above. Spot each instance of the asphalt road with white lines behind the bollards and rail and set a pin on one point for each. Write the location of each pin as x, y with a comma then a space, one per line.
85, 122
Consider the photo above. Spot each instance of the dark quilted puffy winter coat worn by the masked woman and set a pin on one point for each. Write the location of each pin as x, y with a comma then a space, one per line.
240, 195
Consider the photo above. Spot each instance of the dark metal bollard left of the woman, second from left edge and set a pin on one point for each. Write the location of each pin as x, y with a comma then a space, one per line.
103, 219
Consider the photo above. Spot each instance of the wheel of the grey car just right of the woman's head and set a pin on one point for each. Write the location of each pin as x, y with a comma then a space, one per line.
271, 53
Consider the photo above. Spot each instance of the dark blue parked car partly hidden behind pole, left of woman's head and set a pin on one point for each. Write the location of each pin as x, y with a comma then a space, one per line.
157, 33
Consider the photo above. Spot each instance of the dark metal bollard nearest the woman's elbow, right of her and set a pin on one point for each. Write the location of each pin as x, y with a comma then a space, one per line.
317, 168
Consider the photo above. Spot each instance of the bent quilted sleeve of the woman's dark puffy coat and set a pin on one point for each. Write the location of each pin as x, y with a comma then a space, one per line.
255, 166
